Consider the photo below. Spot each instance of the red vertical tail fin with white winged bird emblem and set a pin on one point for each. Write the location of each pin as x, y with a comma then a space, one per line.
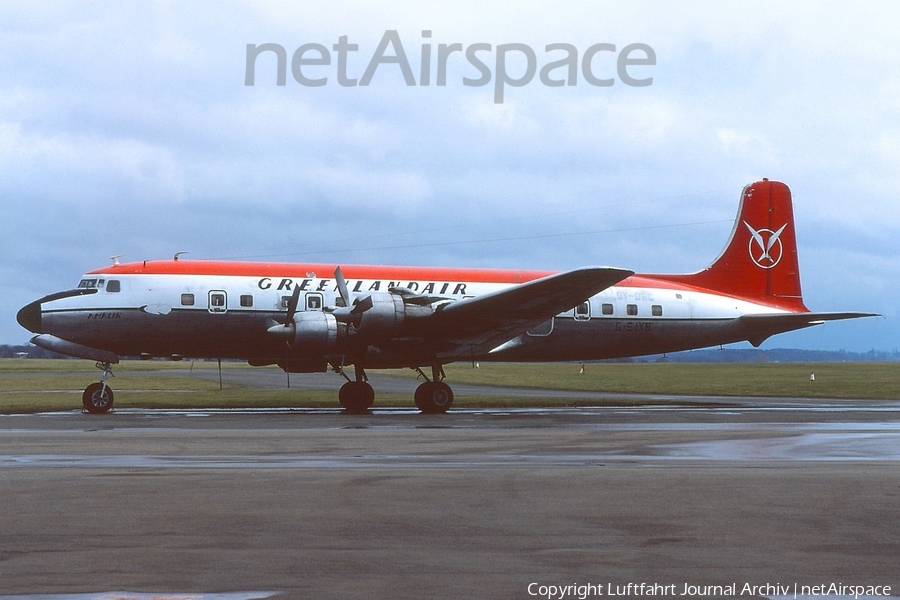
760, 261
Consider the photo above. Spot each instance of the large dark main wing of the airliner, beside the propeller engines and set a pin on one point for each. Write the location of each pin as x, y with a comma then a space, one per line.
477, 325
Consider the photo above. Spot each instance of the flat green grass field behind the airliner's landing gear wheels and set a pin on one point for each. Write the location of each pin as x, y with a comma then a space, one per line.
46, 385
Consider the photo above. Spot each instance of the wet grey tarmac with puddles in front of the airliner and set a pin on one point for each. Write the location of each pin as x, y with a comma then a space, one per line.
475, 503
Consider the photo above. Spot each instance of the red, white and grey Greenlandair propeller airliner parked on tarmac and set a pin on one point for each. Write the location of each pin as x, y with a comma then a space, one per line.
309, 317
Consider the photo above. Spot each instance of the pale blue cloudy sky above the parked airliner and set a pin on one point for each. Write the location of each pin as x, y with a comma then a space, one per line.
126, 128
